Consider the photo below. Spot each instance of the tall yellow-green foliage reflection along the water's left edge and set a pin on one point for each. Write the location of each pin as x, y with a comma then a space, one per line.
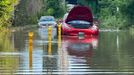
8, 63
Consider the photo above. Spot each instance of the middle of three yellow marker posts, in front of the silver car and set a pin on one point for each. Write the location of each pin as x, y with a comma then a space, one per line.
49, 40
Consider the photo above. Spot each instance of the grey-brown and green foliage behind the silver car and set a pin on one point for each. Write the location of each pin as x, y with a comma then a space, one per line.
29, 11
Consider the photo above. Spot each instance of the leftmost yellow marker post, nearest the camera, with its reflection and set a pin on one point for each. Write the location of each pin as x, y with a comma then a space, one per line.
30, 34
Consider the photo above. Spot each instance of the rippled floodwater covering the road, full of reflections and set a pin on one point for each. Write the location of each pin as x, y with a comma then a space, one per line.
111, 53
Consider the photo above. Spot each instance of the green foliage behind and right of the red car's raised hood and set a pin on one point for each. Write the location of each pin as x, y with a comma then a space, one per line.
111, 13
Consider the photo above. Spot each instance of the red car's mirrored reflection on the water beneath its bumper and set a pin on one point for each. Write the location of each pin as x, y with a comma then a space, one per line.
79, 47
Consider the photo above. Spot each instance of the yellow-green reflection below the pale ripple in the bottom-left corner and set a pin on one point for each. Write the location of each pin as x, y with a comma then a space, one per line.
8, 64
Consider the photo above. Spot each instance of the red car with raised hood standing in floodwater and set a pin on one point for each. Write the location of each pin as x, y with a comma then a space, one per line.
79, 21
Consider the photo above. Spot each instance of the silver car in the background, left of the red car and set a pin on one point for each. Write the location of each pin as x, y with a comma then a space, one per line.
46, 21
